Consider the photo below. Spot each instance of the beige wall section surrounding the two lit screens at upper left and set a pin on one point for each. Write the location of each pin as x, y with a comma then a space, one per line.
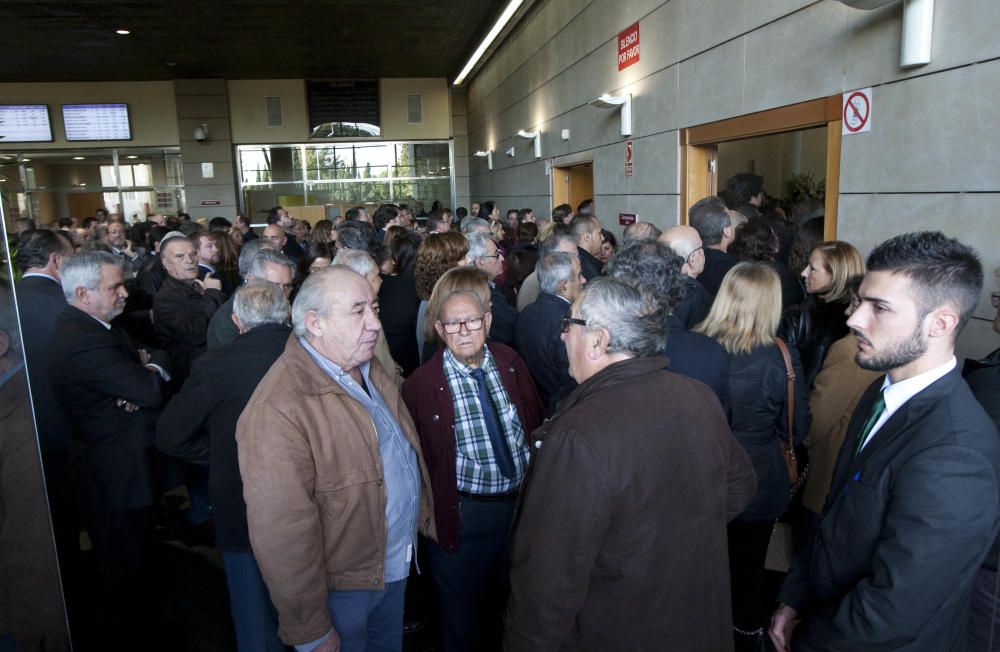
152, 112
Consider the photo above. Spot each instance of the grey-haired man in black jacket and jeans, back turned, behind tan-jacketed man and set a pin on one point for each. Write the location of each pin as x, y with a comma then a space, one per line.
215, 394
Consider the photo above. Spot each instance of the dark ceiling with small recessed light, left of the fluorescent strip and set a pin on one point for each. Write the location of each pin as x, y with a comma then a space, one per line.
250, 39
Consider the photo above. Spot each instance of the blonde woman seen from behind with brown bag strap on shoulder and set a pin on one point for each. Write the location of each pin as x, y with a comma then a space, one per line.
744, 320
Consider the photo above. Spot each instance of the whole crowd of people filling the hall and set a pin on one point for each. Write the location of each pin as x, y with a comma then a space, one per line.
582, 440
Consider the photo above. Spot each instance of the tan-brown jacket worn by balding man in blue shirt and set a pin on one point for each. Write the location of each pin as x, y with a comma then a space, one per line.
312, 480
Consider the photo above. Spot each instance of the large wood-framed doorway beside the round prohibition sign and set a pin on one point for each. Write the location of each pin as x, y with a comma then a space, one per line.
800, 139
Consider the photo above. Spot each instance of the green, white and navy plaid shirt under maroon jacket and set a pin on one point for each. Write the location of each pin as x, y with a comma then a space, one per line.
475, 467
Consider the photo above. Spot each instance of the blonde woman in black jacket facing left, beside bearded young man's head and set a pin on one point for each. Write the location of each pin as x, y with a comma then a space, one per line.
814, 325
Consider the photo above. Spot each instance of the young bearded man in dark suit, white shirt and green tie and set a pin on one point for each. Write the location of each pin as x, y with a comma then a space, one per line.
914, 505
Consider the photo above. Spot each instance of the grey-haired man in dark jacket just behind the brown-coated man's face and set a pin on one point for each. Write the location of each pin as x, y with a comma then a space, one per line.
539, 327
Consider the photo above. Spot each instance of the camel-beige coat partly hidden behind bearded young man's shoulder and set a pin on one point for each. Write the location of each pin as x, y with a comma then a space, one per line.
838, 387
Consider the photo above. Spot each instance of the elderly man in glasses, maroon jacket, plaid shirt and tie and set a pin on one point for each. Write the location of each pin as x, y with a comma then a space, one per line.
474, 406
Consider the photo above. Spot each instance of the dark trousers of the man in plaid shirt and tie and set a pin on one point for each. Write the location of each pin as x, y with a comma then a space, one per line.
473, 582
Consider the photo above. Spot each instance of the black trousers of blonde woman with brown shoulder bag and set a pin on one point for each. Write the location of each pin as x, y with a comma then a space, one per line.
747, 552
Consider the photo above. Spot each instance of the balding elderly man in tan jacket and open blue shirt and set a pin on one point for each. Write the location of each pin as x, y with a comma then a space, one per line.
334, 478
